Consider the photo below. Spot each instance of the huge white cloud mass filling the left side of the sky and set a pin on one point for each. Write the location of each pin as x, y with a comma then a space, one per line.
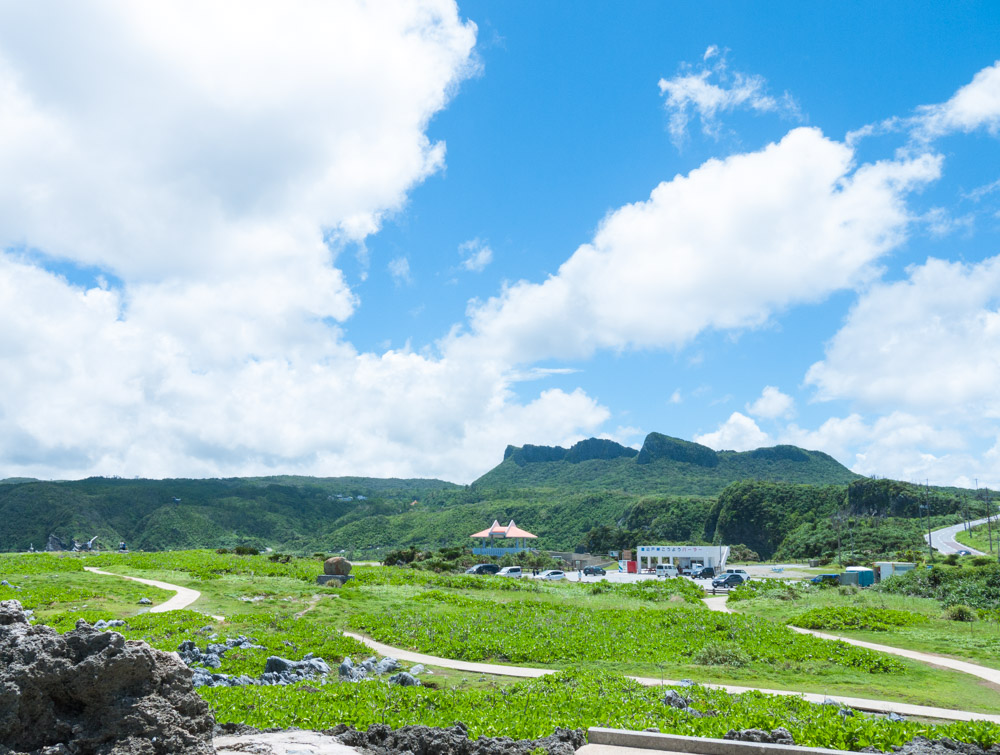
213, 157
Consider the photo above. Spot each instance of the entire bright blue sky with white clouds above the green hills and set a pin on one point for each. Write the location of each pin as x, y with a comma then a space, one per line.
391, 240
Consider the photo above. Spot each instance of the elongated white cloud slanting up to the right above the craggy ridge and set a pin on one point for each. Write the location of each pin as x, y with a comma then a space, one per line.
722, 248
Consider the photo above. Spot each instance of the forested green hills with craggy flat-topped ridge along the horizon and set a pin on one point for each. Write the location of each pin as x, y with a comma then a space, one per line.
595, 496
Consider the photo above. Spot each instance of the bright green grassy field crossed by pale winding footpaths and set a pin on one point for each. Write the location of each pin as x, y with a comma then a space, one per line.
595, 633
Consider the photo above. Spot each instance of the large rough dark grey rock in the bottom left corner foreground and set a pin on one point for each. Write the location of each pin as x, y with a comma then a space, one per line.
94, 693
